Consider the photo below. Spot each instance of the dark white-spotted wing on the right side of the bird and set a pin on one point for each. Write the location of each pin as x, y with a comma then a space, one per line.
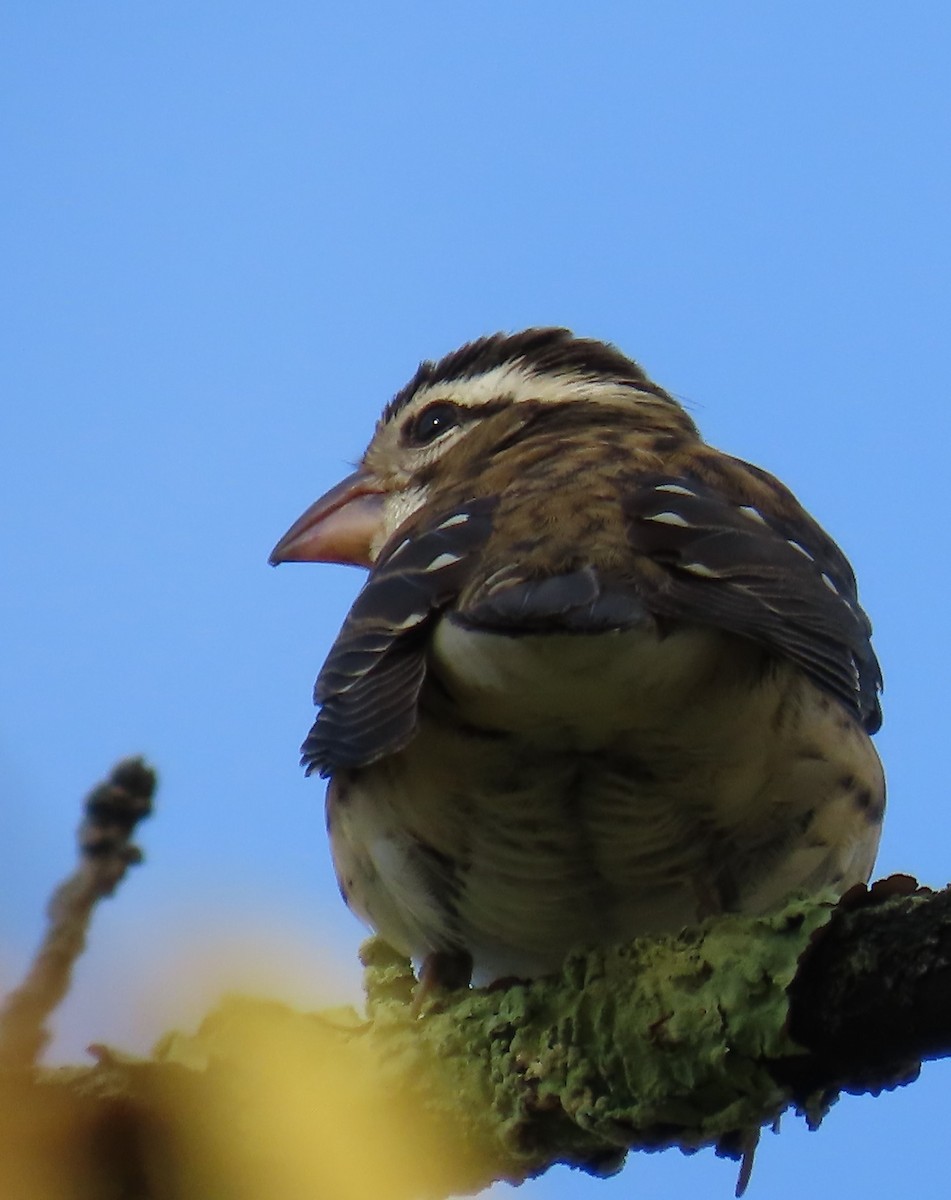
765, 573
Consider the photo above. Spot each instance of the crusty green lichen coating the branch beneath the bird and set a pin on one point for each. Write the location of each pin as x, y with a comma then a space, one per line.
661, 1042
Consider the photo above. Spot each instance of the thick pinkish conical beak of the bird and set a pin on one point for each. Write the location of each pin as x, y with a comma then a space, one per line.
338, 529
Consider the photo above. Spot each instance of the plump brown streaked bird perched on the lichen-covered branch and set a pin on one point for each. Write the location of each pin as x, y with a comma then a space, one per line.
602, 682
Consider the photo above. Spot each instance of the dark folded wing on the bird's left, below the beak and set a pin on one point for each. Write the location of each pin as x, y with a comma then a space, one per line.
370, 683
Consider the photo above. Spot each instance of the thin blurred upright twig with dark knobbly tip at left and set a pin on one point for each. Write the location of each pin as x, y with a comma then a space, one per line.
112, 811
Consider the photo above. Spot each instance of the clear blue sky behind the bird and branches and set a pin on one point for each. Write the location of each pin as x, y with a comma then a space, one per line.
231, 231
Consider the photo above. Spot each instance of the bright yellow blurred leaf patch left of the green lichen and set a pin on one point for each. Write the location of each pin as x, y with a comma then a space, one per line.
302, 1109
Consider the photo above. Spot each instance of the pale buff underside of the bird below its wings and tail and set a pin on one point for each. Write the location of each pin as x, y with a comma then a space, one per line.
565, 791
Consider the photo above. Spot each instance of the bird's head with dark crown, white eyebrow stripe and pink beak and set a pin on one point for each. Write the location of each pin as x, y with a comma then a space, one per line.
451, 422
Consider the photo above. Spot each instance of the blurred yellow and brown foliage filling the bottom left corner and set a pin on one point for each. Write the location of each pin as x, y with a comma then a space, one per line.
264, 1102
